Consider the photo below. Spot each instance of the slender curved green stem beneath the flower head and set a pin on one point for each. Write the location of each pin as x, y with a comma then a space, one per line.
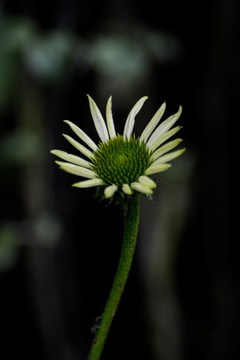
131, 221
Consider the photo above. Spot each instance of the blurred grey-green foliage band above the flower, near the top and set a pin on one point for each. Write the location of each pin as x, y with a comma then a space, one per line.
52, 55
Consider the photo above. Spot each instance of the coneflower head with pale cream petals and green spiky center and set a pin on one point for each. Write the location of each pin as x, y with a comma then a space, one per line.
122, 163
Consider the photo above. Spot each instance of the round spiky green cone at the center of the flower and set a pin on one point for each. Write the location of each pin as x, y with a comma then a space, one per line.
121, 161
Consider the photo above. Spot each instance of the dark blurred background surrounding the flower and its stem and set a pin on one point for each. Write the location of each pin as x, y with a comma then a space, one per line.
59, 246
